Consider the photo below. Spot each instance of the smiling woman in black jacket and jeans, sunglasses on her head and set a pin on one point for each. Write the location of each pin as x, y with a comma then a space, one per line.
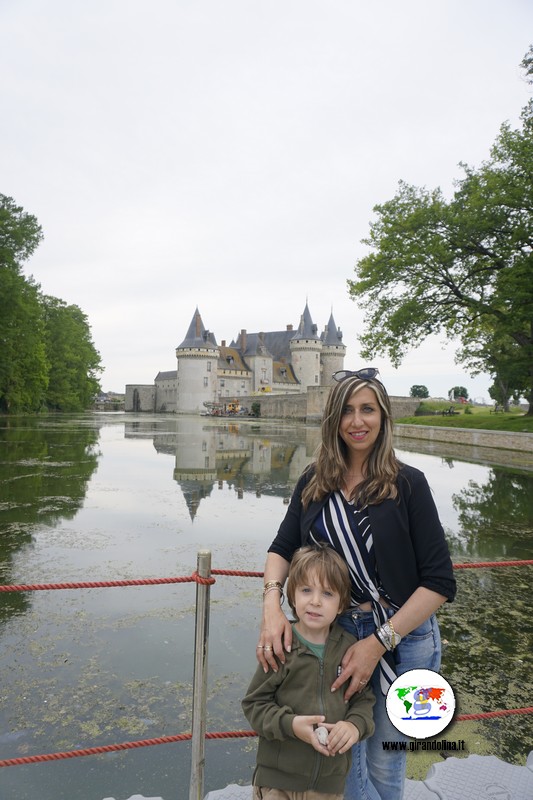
380, 516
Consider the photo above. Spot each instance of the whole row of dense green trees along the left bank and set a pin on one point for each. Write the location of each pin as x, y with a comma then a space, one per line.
47, 356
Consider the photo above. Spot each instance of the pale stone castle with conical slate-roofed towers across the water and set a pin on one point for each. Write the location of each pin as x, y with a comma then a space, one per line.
208, 374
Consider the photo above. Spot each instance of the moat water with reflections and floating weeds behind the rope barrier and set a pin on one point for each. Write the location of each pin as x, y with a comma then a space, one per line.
101, 497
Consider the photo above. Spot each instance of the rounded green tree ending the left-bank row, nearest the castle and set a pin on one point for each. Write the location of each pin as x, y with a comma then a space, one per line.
73, 360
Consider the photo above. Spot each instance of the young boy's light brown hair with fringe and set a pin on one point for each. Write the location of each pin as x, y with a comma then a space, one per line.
330, 570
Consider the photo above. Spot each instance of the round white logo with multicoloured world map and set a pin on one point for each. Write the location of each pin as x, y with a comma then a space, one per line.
420, 703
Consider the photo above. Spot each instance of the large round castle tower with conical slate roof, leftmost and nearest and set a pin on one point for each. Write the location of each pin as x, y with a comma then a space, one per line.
197, 358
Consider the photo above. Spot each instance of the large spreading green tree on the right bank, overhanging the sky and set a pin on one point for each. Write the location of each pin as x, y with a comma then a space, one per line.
462, 267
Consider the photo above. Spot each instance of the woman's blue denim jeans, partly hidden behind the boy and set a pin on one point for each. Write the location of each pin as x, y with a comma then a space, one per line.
378, 774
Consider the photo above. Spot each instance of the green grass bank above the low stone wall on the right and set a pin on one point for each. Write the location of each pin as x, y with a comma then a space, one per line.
430, 412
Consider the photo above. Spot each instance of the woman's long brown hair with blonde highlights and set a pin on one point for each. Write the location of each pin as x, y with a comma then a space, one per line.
381, 466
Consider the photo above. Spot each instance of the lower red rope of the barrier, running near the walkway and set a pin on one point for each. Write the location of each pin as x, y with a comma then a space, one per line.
181, 737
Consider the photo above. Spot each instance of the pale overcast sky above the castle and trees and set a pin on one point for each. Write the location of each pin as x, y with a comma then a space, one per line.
228, 156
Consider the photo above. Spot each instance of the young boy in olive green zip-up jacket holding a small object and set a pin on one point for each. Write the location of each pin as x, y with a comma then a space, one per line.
285, 707
